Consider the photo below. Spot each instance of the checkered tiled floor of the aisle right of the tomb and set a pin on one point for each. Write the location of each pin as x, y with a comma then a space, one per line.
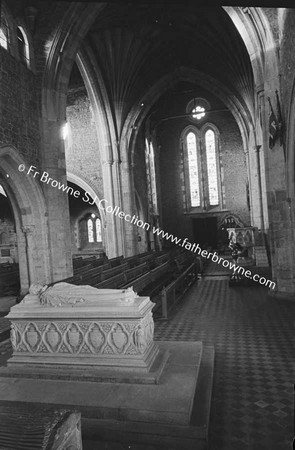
252, 403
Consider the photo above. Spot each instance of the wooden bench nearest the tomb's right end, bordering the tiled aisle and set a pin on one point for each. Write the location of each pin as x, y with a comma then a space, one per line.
176, 289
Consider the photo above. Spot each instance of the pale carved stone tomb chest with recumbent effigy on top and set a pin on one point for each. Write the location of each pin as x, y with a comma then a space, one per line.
82, 326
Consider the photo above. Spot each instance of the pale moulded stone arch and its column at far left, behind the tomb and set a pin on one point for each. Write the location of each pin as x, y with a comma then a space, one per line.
30, 217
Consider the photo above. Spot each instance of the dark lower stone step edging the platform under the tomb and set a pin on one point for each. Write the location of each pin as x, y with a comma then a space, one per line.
160, 436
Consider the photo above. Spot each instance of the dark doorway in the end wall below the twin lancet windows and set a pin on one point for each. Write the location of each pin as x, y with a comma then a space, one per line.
205, 231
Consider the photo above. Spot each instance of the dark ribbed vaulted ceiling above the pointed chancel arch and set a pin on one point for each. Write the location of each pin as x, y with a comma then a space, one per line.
135, 45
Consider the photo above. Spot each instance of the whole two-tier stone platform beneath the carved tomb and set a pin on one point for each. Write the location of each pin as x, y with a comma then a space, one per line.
173, 414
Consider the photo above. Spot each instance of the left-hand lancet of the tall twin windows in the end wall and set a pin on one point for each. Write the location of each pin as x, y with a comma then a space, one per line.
193, 169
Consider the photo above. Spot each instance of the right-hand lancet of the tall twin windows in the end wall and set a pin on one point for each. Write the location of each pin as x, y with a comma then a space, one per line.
211, 167
